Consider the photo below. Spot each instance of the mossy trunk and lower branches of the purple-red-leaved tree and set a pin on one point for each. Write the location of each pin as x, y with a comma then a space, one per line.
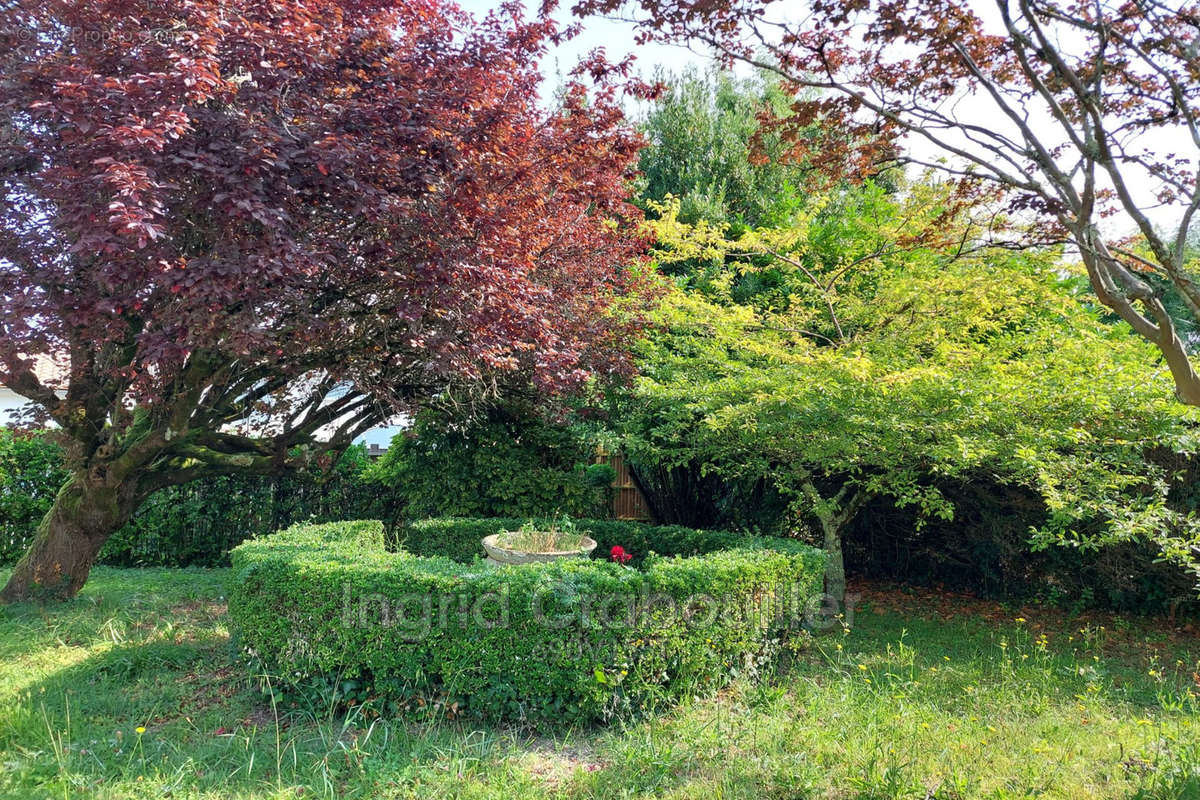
121, 460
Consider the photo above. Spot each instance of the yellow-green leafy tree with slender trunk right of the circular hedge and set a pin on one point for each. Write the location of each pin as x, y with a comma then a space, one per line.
885, 365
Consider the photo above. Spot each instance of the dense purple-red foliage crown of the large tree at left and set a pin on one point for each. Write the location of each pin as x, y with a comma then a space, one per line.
297, 215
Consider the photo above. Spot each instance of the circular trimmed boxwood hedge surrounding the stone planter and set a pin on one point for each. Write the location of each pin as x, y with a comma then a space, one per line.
327, 610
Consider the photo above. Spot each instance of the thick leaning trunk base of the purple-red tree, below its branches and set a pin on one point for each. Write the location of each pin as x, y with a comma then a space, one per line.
68, 542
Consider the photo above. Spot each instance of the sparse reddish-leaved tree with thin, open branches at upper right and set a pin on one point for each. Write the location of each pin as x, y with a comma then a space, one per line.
1078, 110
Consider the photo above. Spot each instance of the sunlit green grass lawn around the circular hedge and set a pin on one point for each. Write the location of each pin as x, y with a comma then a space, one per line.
928, 697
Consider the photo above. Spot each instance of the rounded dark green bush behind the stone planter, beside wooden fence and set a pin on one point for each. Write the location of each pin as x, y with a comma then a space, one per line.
508, 464
